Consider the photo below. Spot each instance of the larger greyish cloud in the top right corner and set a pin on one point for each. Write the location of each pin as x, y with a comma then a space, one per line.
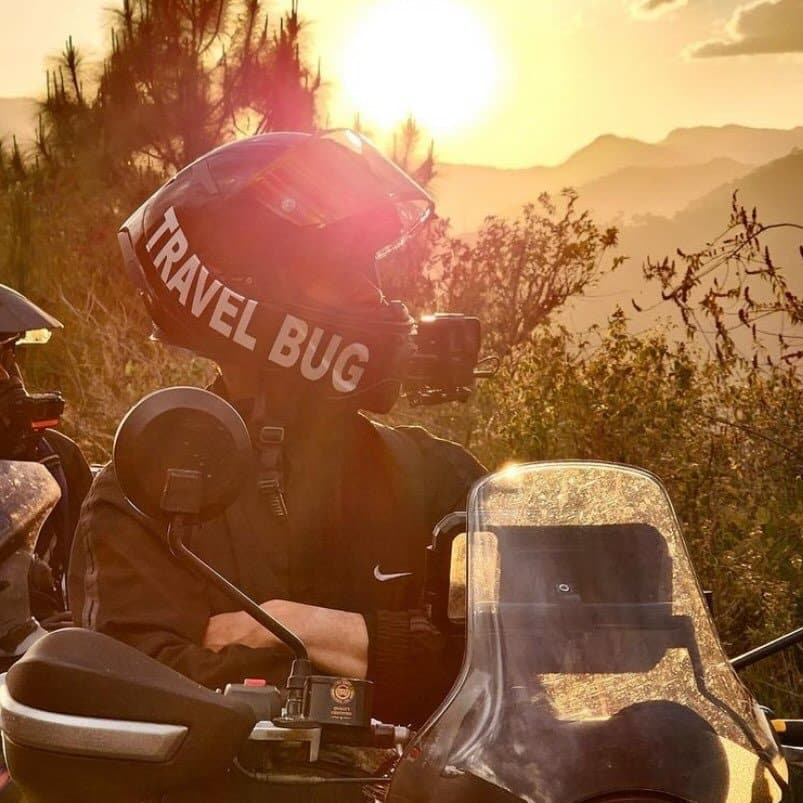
766, 26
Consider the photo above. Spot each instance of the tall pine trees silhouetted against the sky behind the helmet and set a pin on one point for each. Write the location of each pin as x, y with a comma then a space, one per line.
181, 77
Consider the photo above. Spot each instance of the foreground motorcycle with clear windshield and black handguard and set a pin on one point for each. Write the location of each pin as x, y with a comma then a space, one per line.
592, 672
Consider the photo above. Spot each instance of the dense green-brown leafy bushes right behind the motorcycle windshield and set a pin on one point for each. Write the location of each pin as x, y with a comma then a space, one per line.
728, 446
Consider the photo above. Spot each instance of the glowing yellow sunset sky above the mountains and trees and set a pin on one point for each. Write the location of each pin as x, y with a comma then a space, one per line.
511, 82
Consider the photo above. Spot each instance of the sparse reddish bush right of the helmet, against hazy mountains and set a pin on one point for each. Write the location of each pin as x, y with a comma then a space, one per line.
515, 273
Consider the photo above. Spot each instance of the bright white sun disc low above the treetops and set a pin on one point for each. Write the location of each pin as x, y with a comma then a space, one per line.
434, 59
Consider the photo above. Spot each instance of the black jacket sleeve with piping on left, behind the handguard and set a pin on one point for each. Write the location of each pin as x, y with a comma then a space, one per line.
124, 582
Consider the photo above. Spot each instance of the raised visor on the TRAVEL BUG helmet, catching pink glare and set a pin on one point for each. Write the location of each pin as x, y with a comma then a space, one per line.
336, 175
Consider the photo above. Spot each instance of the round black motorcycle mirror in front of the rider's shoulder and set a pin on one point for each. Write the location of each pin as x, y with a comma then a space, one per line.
182, 429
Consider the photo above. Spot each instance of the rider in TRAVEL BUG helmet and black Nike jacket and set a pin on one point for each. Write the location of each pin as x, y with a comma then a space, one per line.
262, 255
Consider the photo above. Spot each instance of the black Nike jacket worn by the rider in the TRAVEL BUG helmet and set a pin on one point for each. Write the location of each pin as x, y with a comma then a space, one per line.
364, 501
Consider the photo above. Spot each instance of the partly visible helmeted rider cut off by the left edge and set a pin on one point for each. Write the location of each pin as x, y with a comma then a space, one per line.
26, 434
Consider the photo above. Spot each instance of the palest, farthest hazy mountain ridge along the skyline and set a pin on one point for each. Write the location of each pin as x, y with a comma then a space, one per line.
618, 174
